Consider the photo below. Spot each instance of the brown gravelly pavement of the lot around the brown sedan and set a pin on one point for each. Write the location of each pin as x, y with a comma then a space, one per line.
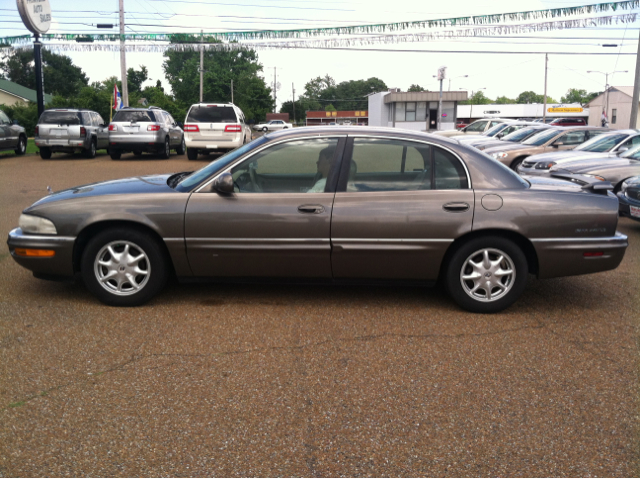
282, 380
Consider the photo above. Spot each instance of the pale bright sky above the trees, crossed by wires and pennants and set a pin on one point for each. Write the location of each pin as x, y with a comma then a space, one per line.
497, 74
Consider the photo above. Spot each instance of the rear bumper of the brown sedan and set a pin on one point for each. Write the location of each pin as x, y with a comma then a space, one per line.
566, 256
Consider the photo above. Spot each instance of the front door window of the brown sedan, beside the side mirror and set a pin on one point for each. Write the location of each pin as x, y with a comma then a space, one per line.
293, 167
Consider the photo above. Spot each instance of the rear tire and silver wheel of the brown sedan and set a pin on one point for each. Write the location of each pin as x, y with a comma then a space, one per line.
486, 275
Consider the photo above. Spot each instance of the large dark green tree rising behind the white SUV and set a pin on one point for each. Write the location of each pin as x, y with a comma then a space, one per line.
250, 91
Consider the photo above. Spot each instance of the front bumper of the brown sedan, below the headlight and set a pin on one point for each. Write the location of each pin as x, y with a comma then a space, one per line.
59, 265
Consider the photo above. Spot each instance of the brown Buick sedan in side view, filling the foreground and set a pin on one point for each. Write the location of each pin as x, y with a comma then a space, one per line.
326, 204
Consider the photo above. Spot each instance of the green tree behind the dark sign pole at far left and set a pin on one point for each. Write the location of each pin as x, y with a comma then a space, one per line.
61, 76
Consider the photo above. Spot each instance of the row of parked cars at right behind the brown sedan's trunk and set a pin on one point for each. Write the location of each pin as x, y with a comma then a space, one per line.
578, 154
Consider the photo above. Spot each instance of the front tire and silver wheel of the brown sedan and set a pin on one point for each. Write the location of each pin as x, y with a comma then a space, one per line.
124, 267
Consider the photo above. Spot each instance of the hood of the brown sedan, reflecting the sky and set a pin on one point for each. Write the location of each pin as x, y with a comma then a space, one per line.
125, 186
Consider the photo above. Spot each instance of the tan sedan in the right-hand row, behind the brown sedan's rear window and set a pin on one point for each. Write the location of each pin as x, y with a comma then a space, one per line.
554, 138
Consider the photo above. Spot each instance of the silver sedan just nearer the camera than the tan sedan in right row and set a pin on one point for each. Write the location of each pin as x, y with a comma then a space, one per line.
614, 142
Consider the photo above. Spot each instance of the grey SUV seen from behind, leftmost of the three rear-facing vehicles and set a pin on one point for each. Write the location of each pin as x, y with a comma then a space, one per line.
69, 131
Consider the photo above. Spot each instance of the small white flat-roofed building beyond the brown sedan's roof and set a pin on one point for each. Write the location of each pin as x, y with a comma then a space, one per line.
414, 110
